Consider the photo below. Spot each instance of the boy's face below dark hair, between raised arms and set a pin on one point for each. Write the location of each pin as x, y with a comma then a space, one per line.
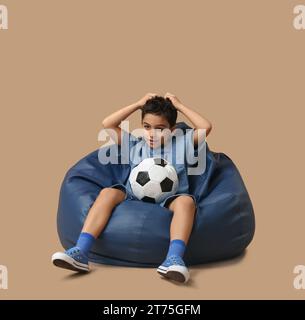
153, 126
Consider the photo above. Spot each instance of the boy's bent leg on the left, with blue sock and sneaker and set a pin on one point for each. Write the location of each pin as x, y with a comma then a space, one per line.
76, 258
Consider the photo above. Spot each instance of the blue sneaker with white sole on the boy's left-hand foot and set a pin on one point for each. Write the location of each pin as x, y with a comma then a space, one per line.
73, 259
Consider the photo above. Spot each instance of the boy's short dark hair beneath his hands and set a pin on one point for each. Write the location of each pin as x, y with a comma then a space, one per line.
161, 106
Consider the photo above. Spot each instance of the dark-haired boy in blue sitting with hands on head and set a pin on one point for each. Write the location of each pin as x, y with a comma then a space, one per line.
158, 113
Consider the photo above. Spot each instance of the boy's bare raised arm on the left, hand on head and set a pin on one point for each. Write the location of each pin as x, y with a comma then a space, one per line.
114, 120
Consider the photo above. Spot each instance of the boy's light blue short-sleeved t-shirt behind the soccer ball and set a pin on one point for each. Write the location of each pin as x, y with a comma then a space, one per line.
178, 151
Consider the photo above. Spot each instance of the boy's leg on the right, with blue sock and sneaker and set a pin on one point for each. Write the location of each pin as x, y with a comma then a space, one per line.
184, 210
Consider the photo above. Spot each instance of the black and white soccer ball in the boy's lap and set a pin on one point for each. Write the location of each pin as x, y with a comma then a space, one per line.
153, 179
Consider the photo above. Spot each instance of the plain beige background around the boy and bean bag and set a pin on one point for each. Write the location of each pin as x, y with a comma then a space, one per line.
65, 65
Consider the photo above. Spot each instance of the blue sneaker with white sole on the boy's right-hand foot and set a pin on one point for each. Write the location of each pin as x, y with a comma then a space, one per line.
174, 268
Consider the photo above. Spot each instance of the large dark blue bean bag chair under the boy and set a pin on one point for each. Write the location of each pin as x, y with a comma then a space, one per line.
137, 233
